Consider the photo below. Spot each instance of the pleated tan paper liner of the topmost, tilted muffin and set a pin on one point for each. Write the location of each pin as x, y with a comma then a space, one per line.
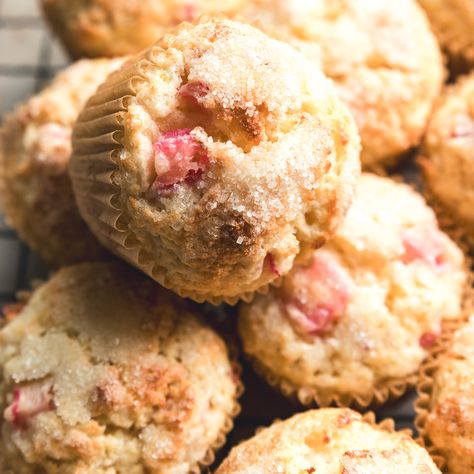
97, 142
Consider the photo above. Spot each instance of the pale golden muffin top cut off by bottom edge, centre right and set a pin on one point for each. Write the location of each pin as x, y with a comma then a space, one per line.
329, 441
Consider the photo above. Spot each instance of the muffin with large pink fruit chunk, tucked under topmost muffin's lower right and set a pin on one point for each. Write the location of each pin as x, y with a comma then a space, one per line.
333, 331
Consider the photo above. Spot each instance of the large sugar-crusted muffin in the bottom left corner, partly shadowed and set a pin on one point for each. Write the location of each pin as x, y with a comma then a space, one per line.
104, 372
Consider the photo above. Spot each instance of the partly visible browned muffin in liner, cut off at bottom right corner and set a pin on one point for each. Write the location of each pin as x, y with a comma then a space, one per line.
446, 405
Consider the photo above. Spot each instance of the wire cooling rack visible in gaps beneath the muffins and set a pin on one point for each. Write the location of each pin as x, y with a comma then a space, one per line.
29, 57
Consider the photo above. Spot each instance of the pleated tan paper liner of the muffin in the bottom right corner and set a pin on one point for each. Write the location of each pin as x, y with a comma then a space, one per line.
426, 384
